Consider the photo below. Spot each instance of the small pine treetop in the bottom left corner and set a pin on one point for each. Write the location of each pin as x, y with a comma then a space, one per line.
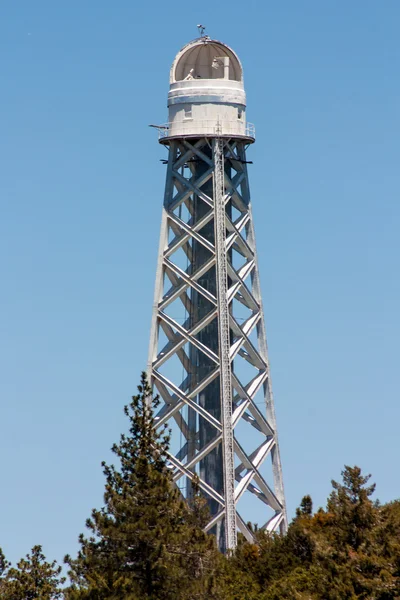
33, 579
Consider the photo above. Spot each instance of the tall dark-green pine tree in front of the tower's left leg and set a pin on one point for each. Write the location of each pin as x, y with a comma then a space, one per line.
145, 542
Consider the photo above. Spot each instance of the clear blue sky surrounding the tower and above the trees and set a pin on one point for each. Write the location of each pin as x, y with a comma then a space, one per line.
81, 189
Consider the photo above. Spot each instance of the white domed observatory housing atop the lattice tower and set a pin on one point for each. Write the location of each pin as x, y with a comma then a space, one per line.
206, 94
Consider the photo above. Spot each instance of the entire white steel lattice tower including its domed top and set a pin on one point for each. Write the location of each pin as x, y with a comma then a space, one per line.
208, 356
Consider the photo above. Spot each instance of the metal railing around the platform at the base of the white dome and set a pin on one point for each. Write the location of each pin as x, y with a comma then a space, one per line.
206, 127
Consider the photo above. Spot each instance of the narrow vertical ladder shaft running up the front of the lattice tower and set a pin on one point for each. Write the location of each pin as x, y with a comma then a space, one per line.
224, 343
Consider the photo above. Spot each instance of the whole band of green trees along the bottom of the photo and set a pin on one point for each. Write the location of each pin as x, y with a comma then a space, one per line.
147, 544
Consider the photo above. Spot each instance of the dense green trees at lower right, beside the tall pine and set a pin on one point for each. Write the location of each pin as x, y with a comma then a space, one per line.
349, 551
